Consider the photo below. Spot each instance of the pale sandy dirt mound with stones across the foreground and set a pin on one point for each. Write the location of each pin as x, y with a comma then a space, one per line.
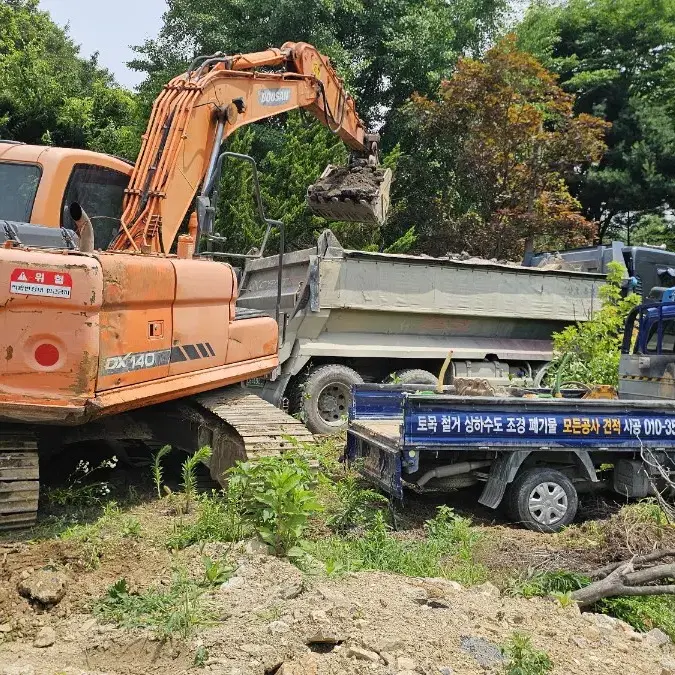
271, 618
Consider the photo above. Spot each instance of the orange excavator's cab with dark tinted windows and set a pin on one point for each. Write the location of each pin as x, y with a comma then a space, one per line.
38, 183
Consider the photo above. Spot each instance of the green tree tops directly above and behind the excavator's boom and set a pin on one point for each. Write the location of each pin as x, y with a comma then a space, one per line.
386, 49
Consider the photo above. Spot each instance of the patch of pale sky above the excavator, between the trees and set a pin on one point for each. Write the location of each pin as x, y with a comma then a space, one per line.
109, 27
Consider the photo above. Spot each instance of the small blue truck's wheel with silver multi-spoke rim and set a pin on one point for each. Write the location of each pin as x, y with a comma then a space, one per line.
543, 500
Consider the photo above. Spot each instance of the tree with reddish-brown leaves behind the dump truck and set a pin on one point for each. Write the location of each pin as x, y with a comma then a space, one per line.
488, 159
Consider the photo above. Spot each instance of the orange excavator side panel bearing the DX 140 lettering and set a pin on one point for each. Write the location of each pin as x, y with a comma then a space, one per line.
136, 319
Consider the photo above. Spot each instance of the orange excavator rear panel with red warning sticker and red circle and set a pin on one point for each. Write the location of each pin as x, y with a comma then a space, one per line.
49, 326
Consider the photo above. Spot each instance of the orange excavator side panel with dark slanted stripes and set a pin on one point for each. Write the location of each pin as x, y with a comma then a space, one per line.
201, 314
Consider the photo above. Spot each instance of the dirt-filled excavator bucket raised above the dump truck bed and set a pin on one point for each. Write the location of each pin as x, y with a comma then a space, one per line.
358, 193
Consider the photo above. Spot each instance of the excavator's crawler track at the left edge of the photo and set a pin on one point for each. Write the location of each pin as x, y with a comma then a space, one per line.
19, 480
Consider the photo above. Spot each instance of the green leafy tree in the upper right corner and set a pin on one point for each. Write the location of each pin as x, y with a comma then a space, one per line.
617, 57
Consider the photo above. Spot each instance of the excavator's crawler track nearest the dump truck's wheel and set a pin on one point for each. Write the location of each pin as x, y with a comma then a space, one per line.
265, 429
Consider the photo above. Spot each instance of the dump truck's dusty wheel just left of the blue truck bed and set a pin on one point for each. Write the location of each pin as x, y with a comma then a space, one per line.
326, 397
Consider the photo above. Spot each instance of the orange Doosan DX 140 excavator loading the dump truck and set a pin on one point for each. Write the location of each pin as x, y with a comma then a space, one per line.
105, 333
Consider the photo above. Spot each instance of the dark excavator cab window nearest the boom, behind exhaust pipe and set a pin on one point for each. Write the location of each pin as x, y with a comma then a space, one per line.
99, 191
